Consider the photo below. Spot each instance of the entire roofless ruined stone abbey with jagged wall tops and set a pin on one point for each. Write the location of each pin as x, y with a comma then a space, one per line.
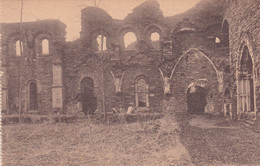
206, 60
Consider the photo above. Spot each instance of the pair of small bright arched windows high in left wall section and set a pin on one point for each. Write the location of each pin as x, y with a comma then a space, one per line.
45, 47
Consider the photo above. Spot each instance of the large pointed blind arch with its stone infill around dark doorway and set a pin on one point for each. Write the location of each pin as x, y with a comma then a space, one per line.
187, 71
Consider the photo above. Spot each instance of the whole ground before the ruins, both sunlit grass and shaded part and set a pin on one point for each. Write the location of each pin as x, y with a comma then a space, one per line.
153, 143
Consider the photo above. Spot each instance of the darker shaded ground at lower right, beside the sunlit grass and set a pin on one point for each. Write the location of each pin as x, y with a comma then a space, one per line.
212, 141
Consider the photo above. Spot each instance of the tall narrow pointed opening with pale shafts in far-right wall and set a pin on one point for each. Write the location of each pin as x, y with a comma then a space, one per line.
245, 83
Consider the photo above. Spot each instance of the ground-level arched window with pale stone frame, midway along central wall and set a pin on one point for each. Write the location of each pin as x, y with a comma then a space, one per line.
141, 92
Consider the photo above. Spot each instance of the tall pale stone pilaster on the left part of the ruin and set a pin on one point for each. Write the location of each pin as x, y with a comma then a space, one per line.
57, 85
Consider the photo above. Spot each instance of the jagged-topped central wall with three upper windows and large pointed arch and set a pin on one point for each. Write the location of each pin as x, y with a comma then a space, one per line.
177, 35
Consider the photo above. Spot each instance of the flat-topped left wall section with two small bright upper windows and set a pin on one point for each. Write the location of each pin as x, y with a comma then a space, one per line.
31, 65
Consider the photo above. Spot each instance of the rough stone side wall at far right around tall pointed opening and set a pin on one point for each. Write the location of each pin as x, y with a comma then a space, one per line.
243, 20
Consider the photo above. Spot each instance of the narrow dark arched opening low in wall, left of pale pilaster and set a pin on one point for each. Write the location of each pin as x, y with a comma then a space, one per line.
33, 96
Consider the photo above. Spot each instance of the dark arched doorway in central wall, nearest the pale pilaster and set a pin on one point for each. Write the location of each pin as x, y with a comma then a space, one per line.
88, 99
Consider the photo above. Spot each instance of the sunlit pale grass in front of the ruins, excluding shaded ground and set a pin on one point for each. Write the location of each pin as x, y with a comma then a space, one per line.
85, 143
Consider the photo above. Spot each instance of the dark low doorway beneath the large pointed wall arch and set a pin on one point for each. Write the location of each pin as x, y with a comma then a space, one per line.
196, 100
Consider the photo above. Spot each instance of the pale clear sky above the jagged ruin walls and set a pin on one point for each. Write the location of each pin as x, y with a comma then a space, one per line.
68, 11
